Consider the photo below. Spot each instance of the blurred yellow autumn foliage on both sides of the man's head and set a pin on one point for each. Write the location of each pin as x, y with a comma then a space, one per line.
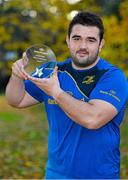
19, 29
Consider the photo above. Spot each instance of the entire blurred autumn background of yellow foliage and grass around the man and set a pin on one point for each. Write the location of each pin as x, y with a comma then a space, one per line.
23, 133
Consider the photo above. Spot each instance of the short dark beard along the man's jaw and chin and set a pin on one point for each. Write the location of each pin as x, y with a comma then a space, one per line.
84, 61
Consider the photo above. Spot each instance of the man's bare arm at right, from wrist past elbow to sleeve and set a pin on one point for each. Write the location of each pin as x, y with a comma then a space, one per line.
92, 115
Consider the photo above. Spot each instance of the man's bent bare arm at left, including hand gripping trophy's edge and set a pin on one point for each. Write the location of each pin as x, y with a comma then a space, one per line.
15, 90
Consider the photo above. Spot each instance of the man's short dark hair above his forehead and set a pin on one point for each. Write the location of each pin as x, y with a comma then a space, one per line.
87, 19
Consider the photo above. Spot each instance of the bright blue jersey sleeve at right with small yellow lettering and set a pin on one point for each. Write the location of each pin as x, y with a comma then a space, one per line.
113, 88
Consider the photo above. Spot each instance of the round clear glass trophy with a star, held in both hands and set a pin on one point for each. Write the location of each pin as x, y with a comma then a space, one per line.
40, 61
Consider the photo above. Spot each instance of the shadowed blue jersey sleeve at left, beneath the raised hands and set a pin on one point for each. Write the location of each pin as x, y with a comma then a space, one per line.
34, 91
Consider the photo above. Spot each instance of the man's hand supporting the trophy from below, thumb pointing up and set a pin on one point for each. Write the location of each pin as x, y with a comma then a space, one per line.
50, 85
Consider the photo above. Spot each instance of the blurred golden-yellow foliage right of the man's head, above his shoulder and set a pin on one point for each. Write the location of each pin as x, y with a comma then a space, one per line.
116, 46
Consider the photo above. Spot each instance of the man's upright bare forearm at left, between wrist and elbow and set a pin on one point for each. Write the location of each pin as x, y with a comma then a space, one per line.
15, 91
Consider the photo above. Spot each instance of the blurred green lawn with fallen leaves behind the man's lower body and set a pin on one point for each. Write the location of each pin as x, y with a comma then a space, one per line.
23, 142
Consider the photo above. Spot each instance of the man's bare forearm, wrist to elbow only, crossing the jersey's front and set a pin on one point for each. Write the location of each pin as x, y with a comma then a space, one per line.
77, 110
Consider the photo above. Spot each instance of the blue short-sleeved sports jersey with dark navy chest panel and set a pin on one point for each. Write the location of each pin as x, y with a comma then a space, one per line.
75, 151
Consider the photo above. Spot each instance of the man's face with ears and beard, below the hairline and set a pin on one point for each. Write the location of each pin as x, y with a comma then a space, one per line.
84, 45
